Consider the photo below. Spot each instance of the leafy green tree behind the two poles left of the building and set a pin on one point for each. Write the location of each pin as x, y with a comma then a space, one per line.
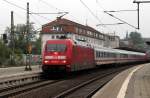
20, 40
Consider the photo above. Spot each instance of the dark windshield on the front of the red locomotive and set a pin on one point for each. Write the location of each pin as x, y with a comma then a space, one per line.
56, 47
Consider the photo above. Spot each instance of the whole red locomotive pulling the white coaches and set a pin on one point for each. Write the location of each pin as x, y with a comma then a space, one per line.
64, 55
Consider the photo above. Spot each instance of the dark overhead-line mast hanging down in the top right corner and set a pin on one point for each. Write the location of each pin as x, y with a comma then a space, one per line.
138, 10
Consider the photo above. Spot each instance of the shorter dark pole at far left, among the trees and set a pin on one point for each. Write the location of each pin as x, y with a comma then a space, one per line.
12, 37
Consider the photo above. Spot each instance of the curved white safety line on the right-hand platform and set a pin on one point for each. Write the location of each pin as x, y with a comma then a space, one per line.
124, 87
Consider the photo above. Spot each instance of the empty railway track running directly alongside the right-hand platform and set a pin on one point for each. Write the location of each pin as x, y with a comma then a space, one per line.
88, 88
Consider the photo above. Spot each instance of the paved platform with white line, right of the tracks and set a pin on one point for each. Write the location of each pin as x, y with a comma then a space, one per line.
131, 83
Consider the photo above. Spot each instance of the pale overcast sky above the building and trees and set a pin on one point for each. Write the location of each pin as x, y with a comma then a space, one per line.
79, 13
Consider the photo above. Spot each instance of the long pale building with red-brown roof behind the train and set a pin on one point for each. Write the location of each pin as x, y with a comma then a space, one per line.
81, 34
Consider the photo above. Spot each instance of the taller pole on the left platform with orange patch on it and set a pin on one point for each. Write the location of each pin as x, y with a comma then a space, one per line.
28, 52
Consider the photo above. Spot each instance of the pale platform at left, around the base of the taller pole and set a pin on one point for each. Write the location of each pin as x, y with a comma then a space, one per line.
14, 71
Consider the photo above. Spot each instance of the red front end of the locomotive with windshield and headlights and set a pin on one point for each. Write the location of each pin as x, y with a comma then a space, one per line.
56, 56
